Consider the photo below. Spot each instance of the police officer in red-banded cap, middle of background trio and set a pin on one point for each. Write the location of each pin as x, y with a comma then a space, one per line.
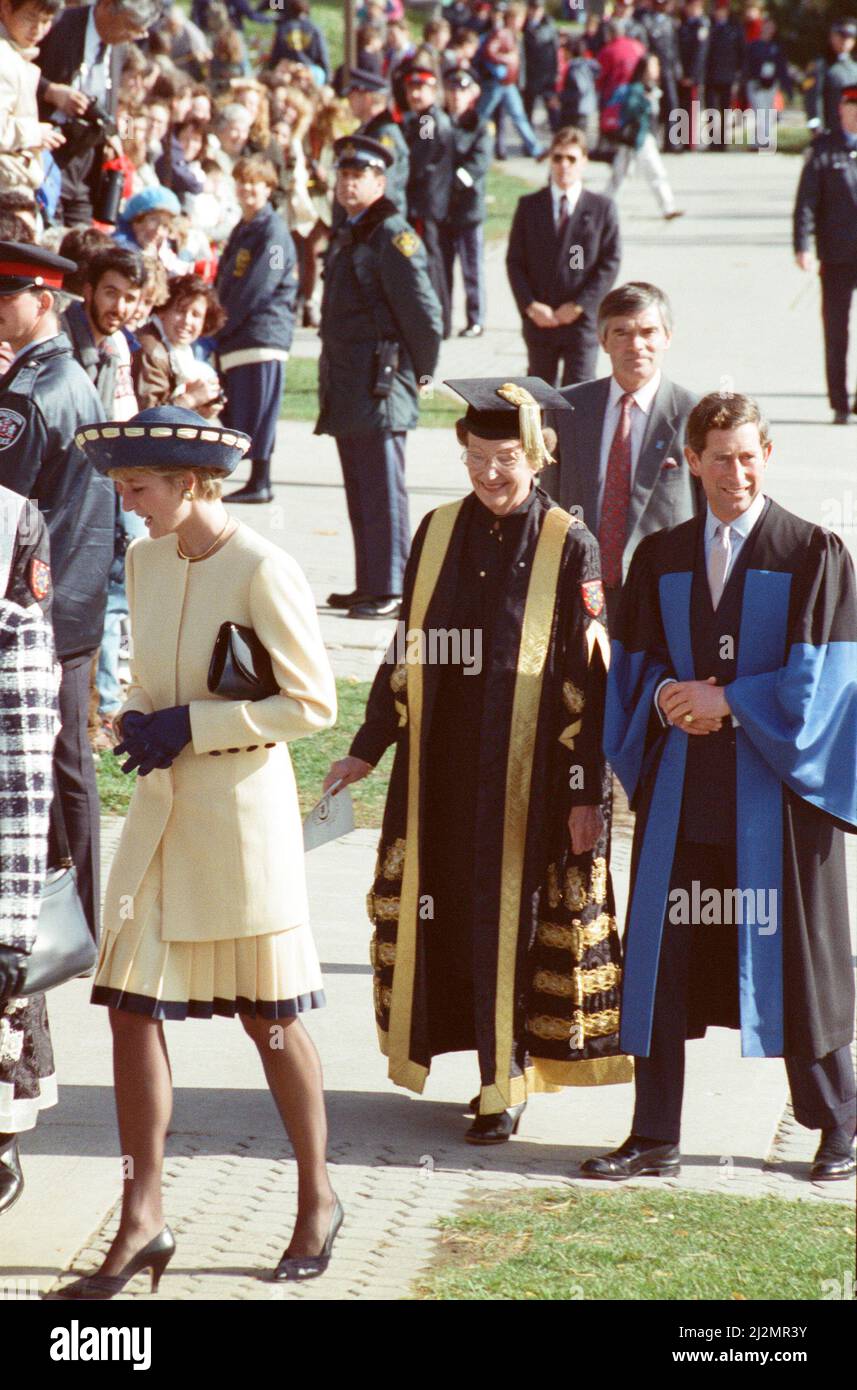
430, 137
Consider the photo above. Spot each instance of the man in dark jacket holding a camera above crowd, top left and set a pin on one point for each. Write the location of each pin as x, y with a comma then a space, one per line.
85, 51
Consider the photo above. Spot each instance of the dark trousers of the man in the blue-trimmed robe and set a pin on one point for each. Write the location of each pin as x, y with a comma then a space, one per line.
823, 1090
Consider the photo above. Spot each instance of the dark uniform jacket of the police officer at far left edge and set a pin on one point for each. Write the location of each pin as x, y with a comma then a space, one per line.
45, 398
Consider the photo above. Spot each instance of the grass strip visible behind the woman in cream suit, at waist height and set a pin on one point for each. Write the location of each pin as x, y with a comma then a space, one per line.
312, 758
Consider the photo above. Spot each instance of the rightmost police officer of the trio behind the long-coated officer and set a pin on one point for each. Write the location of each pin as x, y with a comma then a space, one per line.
462, 234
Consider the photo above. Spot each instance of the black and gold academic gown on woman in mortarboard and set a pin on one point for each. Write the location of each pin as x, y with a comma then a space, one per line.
490, 933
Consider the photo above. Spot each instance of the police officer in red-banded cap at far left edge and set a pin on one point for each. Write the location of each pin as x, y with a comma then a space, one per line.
45, 398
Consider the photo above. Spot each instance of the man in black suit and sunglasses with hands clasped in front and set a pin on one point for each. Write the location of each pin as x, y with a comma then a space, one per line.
563, 258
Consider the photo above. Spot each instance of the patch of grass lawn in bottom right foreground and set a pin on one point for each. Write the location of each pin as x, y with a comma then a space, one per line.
570, 1245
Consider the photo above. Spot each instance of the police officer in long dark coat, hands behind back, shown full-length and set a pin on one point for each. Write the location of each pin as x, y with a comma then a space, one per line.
380, 337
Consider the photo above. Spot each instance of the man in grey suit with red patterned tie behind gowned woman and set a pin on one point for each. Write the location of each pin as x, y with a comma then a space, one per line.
622, 445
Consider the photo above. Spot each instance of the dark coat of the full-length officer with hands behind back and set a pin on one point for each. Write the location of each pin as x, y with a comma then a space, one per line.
377, 288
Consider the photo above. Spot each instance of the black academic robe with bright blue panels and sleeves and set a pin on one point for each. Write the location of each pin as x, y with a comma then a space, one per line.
794, 696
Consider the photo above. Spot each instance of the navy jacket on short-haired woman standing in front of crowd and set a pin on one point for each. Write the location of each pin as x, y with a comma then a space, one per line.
258, 286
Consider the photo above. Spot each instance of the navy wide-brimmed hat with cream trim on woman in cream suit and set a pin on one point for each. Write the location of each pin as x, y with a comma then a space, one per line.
165, 437
